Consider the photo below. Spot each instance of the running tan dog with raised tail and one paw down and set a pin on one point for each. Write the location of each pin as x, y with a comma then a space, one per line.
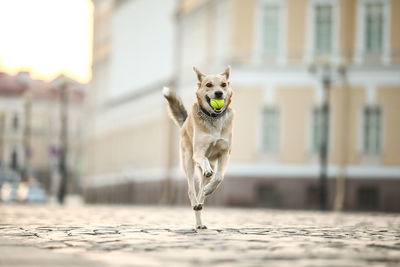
205, 135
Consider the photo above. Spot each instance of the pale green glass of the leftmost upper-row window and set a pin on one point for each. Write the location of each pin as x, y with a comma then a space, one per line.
270, 29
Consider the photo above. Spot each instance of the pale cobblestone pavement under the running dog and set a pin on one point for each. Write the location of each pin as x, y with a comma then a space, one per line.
35, 235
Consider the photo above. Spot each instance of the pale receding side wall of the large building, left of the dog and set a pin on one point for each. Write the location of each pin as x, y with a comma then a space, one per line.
133, 57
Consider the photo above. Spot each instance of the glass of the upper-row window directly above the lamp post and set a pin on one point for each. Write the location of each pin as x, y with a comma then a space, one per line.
323, 29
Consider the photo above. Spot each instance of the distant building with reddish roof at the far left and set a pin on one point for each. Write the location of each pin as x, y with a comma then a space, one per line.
30, 127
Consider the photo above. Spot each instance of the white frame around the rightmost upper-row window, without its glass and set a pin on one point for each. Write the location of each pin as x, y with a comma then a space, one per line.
359, 55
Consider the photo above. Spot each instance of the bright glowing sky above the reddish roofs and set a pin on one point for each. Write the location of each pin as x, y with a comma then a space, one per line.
46, 38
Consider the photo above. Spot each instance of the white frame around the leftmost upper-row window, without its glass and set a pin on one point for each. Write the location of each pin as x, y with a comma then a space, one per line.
259, 26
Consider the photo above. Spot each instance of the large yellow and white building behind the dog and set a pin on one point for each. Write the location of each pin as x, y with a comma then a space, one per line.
271, 45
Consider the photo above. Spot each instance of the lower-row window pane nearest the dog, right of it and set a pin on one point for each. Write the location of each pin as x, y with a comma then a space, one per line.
270, 130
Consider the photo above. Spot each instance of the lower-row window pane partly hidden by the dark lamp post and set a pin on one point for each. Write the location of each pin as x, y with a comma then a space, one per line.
319, 127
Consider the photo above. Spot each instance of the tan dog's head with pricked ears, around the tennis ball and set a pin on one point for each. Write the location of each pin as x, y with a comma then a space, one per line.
213, 86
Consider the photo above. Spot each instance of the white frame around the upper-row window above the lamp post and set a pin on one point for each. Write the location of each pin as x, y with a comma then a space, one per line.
310, 49
